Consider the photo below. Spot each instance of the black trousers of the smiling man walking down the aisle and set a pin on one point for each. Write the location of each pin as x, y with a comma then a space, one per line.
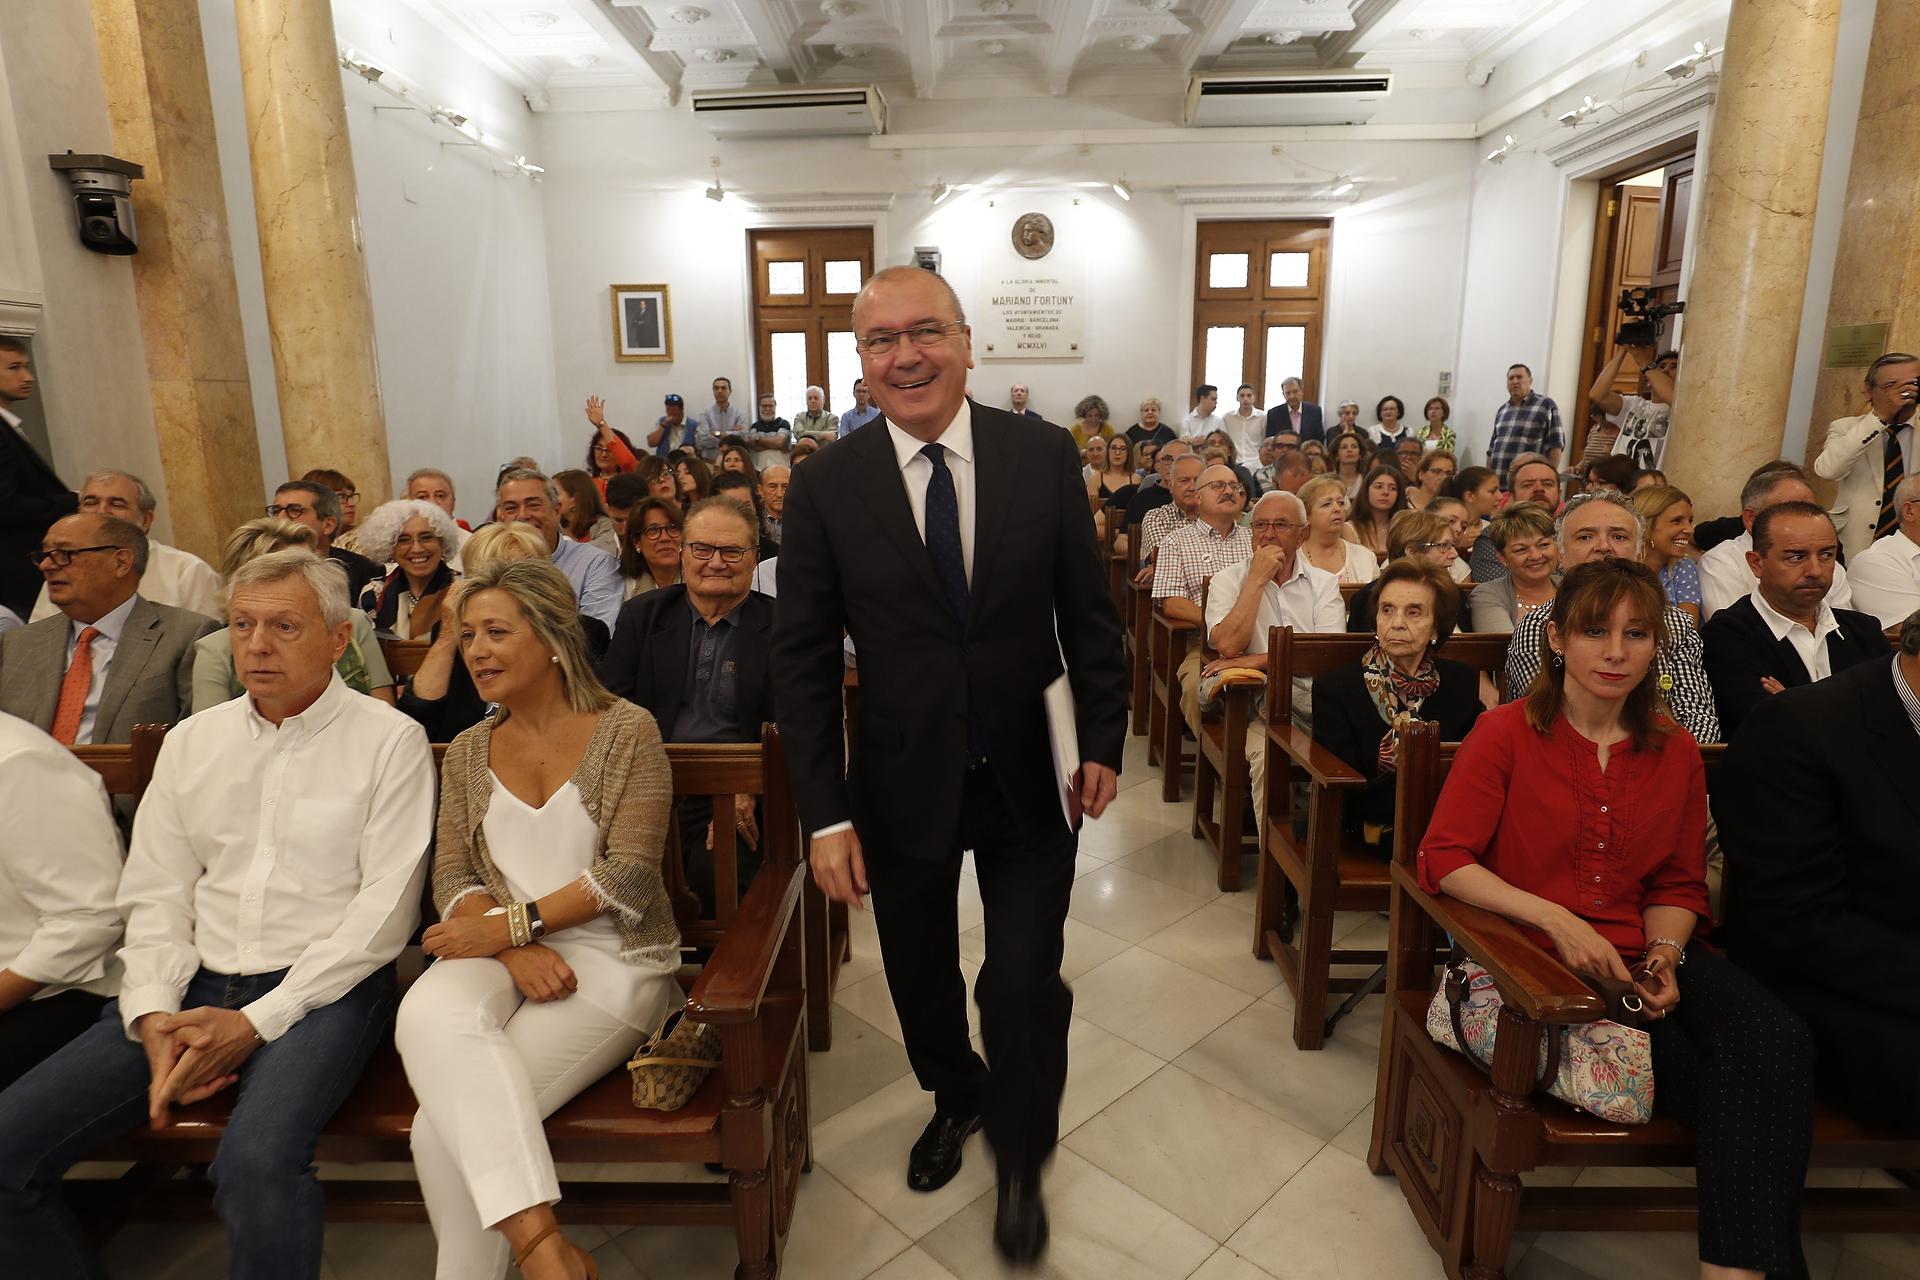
1024, 1007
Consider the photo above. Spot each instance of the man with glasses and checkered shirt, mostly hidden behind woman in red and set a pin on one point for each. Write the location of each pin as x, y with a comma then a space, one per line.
1604, 525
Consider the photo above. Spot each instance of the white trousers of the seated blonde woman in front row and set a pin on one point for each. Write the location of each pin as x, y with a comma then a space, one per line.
489, 1066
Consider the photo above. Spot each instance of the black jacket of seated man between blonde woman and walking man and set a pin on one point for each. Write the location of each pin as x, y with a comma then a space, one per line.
648, 659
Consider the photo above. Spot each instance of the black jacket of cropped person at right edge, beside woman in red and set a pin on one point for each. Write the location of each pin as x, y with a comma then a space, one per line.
1817, 811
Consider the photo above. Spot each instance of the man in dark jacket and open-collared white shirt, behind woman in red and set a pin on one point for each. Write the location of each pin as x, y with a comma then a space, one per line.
1785, 634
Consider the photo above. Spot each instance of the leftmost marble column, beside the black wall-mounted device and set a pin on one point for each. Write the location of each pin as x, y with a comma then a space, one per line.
156, 78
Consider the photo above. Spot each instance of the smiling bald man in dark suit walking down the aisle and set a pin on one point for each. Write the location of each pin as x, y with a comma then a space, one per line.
951, 542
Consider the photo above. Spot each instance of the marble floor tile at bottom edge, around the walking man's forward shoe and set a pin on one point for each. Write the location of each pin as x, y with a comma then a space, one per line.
1101, 1231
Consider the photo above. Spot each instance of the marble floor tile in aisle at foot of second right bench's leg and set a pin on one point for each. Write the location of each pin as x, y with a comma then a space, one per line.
1255, 1058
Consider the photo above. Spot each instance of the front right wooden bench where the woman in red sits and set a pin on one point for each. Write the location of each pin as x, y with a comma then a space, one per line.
1460, 1139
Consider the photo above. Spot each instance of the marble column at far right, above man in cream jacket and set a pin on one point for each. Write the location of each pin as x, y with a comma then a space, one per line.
1877, 272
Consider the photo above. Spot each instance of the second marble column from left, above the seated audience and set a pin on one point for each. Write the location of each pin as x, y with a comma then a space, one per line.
310, 245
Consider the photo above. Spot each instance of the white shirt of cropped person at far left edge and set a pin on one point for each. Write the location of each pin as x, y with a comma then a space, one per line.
59, 866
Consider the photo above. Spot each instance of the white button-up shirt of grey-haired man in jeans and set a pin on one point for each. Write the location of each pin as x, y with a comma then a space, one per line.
262, 849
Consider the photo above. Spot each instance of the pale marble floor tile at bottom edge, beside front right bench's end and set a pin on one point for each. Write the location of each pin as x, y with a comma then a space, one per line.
1333, 1221
